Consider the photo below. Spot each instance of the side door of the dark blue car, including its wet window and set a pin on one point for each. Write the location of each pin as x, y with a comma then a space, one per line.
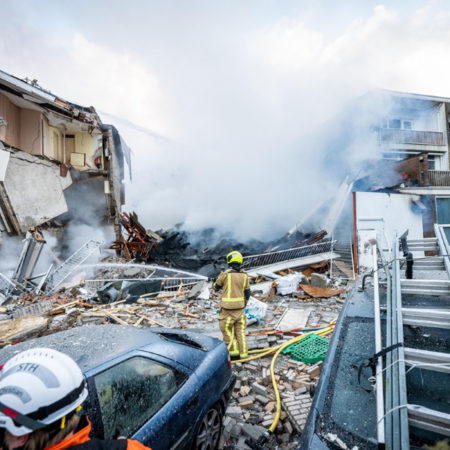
148, 398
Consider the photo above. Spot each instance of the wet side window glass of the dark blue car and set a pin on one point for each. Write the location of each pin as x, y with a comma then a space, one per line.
132, 391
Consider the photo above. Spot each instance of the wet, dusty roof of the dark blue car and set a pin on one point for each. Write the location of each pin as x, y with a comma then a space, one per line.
90, 346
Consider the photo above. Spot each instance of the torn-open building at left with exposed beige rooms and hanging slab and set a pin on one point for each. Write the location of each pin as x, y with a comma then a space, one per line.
54, 157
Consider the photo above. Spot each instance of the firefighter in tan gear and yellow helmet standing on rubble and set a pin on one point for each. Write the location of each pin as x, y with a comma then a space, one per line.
236, 294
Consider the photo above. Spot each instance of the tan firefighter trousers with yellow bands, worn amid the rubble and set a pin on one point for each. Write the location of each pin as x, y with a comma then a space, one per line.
234, 318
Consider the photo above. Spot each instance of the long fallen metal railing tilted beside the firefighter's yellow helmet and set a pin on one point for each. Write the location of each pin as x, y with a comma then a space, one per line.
265, 259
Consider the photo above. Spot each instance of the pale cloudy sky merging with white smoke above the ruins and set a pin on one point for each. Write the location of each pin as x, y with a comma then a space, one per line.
227, 87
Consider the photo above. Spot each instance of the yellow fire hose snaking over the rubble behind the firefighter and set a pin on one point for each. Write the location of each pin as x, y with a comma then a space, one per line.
277, 350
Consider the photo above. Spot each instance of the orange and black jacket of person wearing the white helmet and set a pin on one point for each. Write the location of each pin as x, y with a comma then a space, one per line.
81, 441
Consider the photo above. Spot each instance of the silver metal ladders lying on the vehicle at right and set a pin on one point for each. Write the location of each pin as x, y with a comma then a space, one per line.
394, 415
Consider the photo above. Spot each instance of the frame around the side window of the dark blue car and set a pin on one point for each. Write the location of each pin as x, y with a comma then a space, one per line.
94, 399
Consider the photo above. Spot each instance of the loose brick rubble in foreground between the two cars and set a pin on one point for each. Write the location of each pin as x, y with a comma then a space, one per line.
253, 406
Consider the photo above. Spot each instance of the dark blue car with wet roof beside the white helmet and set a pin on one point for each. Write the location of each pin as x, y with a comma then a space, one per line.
165, 388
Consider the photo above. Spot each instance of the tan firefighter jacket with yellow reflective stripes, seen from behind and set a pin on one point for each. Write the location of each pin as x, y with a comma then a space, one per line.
233, 284
